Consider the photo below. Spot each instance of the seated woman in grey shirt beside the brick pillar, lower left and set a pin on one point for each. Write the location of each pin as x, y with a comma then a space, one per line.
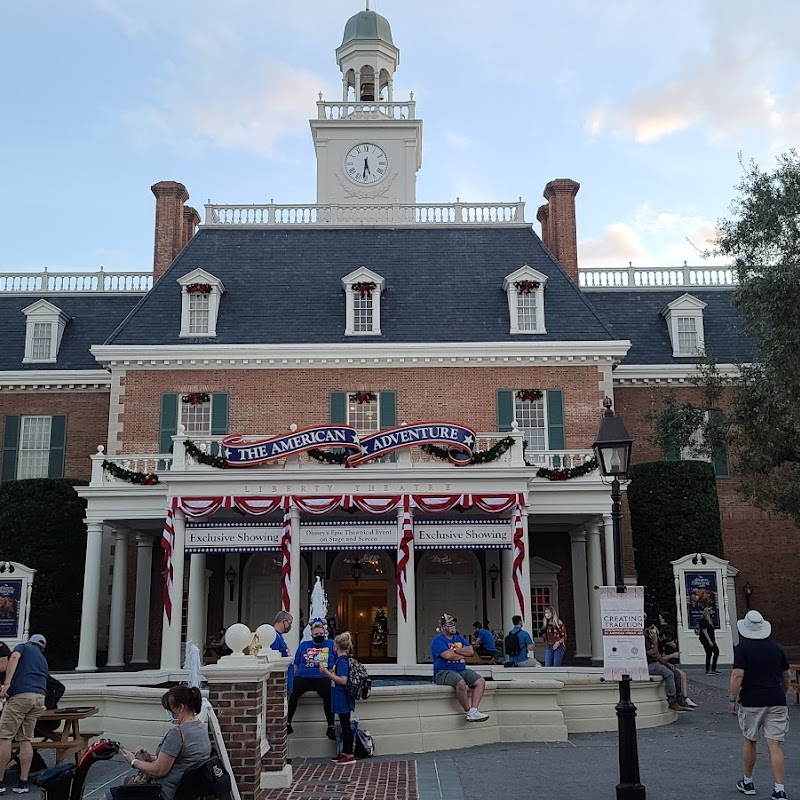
185, 745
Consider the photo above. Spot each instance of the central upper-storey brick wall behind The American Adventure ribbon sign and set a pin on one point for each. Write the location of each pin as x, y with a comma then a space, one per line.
268, 401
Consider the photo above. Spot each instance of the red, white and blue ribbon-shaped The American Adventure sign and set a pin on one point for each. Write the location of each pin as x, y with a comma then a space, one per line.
457, 439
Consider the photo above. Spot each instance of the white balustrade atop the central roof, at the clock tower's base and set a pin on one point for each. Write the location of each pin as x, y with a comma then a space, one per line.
275, 215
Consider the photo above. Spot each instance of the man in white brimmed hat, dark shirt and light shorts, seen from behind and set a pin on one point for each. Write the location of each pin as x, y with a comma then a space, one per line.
759, 682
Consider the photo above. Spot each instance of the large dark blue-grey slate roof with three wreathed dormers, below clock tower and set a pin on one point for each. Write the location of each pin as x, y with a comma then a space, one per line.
442, 285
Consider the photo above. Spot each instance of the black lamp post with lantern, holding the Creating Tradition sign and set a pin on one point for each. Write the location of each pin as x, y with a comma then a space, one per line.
612, 449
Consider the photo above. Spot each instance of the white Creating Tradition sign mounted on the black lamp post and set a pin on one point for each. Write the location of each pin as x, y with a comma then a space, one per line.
622, 615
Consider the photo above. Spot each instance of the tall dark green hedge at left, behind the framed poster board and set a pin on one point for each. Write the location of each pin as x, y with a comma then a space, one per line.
41, 526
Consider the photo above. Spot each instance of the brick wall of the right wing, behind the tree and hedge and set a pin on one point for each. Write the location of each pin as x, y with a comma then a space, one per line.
758, 544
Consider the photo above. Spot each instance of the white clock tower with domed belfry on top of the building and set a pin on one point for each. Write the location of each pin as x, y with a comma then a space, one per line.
368, 146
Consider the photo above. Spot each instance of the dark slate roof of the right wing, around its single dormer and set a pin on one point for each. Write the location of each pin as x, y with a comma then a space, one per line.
636, 315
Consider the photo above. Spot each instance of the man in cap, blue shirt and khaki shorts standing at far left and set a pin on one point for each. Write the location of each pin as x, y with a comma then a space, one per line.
24, 688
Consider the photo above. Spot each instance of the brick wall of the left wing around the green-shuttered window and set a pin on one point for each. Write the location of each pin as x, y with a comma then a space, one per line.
87, 422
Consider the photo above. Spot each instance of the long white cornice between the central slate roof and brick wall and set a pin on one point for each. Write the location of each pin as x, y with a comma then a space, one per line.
338, 356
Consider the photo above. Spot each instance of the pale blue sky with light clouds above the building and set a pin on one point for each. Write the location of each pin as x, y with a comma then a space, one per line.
647, 105
